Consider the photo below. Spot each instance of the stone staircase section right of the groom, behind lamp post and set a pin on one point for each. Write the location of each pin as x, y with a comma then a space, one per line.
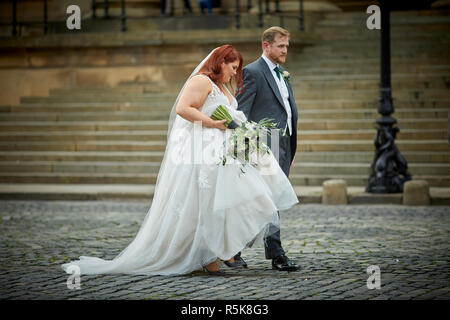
337, 91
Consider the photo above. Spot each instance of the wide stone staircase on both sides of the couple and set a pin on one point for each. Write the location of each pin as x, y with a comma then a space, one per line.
99, 137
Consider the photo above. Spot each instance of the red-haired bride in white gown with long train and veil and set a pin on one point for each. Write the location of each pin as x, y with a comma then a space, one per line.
202, 210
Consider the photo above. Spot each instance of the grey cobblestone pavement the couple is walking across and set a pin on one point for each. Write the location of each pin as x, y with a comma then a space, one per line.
334, 245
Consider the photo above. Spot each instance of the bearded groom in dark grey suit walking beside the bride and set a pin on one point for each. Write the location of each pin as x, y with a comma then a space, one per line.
268, 94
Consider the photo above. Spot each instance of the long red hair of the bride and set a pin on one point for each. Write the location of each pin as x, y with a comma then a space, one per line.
212, 67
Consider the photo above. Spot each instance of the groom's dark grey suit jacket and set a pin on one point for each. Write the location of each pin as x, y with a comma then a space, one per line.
261, 98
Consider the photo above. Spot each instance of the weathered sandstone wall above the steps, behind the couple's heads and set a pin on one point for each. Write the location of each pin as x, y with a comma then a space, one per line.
32, 67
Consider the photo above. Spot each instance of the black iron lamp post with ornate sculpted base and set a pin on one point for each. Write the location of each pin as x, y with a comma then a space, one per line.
389, 167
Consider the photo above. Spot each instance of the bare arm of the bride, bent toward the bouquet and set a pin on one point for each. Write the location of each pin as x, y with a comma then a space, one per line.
192, 98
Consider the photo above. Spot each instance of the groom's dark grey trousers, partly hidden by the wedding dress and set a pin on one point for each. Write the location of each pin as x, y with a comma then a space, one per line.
272, 243
